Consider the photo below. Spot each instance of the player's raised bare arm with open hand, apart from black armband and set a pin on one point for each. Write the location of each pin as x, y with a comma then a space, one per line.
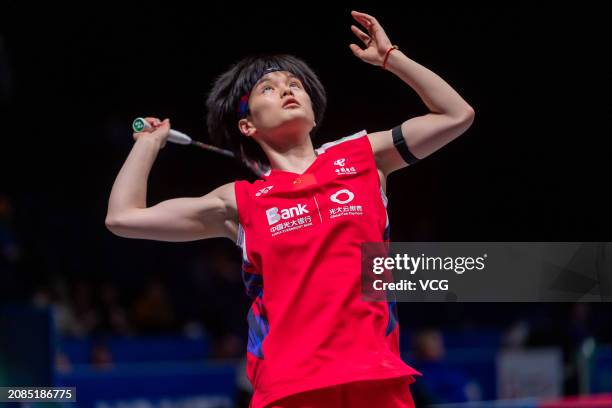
449, 116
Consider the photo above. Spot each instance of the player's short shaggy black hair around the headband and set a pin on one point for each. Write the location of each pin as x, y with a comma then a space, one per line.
223, 100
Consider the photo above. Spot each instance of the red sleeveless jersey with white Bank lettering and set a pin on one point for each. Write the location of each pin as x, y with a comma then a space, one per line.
300, 236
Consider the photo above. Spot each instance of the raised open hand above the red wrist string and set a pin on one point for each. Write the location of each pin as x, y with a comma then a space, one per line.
376, 41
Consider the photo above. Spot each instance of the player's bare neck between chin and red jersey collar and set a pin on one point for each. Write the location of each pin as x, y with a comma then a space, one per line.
295, 156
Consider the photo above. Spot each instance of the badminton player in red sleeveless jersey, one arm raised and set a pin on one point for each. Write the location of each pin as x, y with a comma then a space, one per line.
313, 341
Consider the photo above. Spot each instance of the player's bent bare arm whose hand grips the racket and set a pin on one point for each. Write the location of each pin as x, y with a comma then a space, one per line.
179, 219
